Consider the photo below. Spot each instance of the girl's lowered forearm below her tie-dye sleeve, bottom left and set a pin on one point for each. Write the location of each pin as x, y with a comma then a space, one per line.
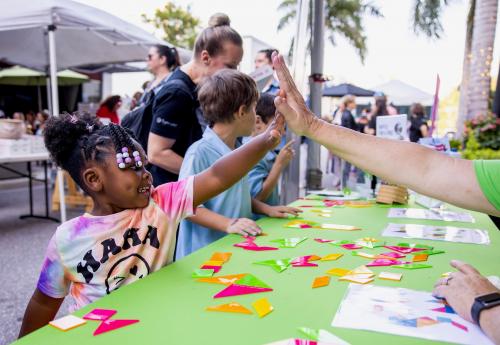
40, 311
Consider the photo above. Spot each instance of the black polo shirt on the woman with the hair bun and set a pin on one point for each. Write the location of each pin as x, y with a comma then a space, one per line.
174, 117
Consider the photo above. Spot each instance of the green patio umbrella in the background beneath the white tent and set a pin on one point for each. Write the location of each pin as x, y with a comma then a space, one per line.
21, 76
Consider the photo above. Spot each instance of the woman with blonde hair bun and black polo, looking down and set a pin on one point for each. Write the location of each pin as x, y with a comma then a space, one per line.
175, 123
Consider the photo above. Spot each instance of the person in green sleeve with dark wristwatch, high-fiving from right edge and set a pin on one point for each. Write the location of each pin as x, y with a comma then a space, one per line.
475, 185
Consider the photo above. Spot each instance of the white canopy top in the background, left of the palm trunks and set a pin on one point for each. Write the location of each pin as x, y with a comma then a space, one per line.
400, 93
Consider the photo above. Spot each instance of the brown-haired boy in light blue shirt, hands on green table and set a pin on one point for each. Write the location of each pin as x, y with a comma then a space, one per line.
228, 99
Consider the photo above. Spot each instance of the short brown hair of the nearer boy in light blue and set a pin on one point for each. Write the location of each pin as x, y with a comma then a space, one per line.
223, 93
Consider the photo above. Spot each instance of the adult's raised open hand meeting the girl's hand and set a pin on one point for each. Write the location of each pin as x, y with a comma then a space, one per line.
290, 102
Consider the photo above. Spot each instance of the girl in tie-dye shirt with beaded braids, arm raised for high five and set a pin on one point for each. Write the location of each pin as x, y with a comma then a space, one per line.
131, 230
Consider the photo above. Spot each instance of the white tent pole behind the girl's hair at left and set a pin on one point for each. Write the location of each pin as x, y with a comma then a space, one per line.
55, 110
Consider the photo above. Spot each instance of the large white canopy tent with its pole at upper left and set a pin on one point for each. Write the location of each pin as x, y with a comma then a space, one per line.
52, 35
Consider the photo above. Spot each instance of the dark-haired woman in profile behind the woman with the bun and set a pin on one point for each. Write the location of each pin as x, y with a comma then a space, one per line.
162, 61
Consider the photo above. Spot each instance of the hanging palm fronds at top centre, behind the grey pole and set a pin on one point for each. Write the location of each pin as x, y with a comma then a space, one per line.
342, 17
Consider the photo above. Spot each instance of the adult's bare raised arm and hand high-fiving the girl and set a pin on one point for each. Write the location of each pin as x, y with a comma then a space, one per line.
421, 169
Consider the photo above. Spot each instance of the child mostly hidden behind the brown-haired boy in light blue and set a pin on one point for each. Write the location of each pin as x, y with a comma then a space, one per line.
264, 177
